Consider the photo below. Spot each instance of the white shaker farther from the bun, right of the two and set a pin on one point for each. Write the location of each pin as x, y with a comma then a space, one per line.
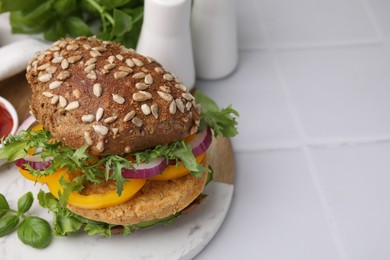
214, 38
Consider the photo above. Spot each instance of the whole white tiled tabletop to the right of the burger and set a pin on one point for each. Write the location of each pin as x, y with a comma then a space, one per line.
313, 154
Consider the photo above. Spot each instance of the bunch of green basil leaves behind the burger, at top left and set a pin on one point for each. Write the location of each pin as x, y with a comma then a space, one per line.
116, 20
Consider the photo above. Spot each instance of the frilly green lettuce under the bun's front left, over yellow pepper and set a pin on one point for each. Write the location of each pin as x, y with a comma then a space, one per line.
61, 156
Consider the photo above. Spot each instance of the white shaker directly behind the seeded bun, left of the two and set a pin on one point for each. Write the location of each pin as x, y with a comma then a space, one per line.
166, 36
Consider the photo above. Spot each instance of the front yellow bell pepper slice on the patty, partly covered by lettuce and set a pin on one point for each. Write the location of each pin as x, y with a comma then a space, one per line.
95, 201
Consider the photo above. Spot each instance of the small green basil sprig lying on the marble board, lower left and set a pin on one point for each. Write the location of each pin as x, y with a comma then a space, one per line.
32, 230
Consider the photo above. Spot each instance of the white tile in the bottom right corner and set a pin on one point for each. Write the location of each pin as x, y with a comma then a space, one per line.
355, 180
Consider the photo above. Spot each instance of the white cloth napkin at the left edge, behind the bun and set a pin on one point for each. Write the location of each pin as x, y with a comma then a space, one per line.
14, 57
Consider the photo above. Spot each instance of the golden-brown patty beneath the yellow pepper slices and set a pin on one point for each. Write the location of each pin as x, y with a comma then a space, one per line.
156, 200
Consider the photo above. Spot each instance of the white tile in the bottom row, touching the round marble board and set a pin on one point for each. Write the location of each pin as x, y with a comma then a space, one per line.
276, 212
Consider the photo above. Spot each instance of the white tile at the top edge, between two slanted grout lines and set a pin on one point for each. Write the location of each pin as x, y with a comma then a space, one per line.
315, 22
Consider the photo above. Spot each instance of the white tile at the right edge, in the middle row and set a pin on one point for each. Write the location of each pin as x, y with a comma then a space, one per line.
340, 93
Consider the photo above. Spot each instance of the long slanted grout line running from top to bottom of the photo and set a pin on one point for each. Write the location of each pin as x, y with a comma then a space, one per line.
313, 171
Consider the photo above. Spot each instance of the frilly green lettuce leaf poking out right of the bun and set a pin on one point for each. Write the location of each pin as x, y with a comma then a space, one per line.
222, 121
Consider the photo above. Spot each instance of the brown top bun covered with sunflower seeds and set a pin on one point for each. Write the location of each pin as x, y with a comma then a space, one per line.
97, 93
